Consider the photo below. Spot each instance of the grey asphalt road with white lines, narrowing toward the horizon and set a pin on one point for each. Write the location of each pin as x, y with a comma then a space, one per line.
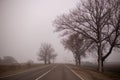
52, 72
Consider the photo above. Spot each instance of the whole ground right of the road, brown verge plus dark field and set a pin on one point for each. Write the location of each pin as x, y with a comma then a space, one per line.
89, 72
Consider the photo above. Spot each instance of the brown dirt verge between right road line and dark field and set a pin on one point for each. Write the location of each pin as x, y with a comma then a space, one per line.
88, 74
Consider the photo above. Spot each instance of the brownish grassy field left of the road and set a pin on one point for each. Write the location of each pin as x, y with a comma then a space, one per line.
16, 68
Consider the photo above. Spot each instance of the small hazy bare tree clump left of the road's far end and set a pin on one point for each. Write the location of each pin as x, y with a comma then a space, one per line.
47, 53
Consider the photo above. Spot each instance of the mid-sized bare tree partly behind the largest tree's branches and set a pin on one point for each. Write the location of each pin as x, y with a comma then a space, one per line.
78, 45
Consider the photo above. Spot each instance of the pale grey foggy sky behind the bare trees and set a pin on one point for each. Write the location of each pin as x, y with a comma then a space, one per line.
25, 24
